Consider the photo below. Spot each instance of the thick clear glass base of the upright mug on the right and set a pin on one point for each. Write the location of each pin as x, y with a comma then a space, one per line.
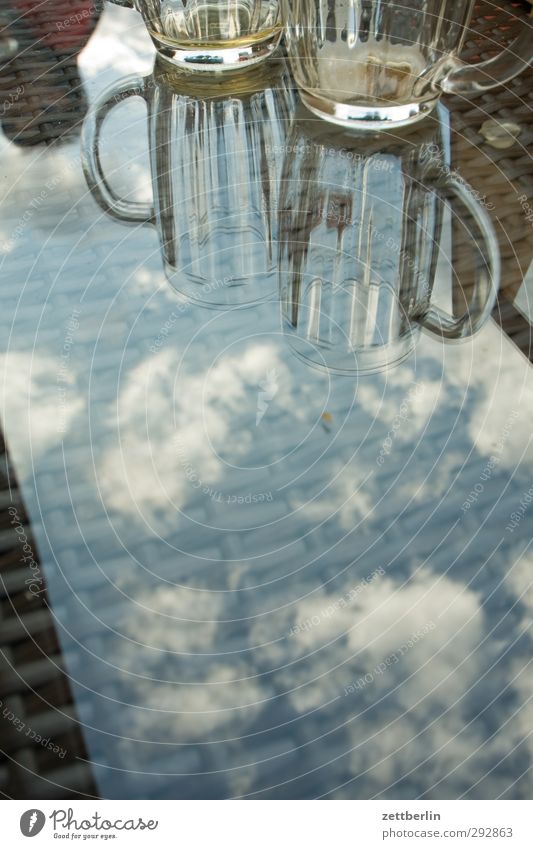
366, 117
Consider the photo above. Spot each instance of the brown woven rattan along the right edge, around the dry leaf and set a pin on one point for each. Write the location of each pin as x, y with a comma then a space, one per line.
503, 177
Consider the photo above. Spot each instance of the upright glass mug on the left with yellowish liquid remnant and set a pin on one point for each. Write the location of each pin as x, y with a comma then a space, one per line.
207, 35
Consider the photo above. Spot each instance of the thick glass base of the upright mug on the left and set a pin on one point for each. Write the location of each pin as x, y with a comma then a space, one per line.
219, 59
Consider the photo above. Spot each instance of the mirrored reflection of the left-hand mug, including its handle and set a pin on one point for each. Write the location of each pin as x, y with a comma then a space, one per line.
215, 161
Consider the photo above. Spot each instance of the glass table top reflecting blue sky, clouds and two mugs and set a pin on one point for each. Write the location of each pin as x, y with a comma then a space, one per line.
275, 451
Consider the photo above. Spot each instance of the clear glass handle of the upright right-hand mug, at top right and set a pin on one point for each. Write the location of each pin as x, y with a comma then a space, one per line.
470, 79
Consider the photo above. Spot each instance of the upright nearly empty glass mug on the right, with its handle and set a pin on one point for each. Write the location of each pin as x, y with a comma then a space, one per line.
373, 63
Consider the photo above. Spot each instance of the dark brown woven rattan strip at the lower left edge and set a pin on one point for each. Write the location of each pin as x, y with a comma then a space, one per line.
41, 746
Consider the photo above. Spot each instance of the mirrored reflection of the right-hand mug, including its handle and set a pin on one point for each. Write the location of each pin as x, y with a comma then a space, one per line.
360, 246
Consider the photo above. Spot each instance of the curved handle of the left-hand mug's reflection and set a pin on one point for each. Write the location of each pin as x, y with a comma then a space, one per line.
132, 212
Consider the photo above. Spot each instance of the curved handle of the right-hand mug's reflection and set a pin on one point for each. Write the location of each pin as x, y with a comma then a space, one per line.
441, 323
